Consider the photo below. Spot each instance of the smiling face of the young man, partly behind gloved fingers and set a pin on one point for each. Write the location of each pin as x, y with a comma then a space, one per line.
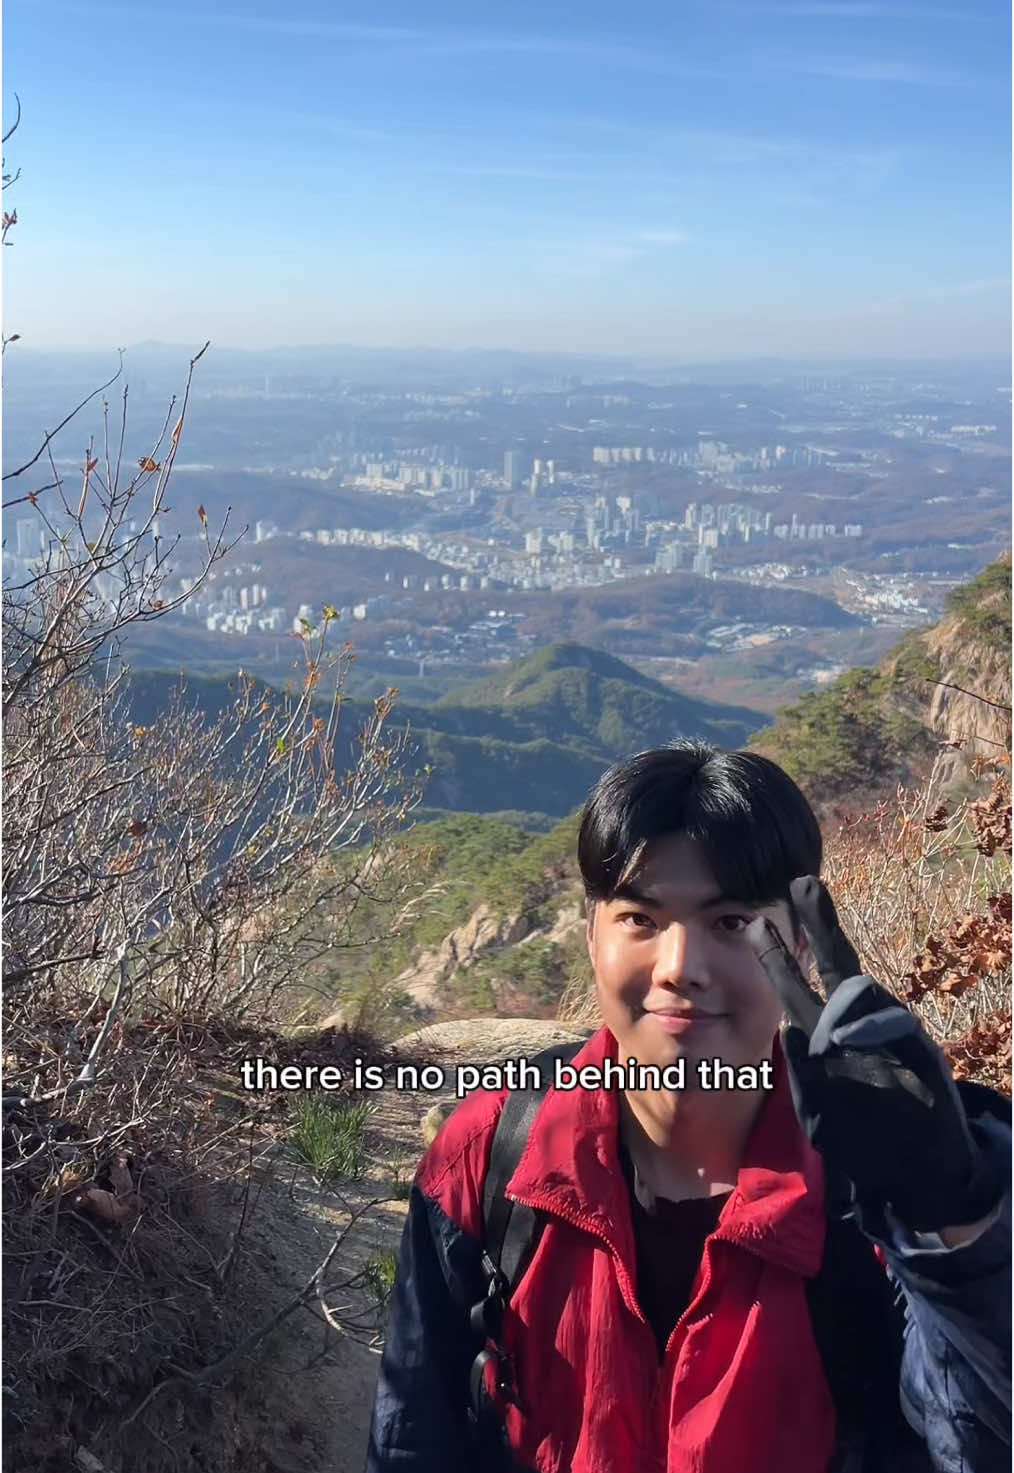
676, 974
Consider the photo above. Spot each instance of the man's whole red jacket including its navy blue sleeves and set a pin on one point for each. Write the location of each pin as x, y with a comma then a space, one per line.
742, 1388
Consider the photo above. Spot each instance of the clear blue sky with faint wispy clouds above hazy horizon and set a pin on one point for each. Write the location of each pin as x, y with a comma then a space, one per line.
698, 180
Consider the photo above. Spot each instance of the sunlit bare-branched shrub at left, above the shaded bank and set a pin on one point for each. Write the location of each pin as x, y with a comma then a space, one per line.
189, 861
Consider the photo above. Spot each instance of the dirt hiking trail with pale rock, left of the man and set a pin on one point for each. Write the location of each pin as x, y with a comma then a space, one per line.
306, 1402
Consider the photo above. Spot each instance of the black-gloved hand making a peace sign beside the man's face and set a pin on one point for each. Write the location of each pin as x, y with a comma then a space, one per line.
872, 1089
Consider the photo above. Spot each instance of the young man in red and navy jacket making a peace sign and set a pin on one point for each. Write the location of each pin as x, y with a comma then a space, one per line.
667, 1322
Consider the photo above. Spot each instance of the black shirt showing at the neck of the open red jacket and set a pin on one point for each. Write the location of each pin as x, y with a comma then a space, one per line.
670, 1244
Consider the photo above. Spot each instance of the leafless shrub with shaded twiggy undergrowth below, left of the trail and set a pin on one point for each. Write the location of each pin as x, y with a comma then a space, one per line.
167, 889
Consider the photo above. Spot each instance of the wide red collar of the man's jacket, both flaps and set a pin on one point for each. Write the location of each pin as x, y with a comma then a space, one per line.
571, 1169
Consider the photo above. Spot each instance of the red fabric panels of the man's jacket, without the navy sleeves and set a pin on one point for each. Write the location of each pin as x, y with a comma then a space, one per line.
742, 1385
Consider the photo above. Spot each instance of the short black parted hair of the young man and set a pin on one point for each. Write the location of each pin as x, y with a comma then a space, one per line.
755, 827
